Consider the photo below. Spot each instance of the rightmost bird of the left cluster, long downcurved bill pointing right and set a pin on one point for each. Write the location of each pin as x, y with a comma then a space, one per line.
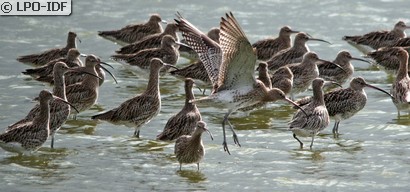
84, 94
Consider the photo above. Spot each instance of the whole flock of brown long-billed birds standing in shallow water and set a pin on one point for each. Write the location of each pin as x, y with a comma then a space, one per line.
224, 60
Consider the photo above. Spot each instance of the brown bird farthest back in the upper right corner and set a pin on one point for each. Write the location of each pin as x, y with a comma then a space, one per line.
378, 39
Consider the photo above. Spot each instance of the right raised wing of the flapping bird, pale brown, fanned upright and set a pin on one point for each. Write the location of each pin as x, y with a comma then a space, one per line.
239, 57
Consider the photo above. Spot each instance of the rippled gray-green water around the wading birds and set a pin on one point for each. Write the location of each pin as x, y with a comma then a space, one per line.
372, 154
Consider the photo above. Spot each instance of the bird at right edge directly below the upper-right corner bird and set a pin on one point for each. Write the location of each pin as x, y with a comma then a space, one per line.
386, 58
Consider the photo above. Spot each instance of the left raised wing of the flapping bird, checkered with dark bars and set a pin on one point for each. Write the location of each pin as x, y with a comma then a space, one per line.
209, 51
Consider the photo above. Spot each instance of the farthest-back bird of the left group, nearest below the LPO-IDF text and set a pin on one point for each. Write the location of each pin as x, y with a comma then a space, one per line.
51, 54
